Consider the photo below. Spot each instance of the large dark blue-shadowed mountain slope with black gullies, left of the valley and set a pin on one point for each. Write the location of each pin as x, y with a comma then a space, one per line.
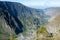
21, 19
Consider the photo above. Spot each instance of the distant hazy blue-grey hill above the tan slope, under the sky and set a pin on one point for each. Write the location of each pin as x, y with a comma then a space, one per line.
53, 11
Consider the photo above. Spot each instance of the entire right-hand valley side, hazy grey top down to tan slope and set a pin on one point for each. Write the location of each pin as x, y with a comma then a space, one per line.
53, 25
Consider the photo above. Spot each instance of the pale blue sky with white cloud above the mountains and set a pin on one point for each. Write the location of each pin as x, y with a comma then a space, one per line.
38, 3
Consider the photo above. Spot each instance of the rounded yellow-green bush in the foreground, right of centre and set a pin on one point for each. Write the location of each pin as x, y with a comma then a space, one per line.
41, 31
